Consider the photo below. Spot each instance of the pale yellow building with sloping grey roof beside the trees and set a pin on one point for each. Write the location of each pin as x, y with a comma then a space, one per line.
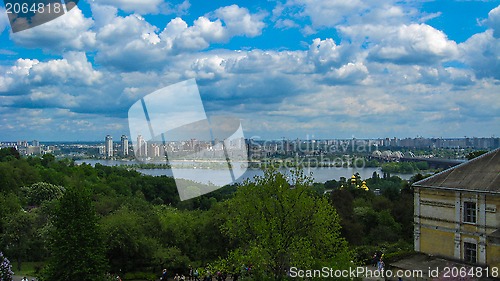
457, 212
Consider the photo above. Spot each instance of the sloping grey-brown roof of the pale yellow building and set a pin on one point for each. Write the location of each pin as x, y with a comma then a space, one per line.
481, 174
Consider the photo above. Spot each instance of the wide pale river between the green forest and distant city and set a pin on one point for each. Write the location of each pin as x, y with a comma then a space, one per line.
218, 176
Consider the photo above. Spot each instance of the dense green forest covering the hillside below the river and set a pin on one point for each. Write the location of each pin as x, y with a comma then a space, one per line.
82, 222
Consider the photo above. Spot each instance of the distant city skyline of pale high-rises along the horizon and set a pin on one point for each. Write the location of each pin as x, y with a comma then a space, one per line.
254, 149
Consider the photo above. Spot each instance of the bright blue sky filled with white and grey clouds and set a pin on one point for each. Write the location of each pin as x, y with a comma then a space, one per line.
286, 68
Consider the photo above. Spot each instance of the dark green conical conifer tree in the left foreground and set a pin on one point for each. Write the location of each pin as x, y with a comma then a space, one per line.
77, 251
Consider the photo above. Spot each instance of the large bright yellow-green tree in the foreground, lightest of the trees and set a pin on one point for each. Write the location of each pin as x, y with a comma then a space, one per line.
274, 225
